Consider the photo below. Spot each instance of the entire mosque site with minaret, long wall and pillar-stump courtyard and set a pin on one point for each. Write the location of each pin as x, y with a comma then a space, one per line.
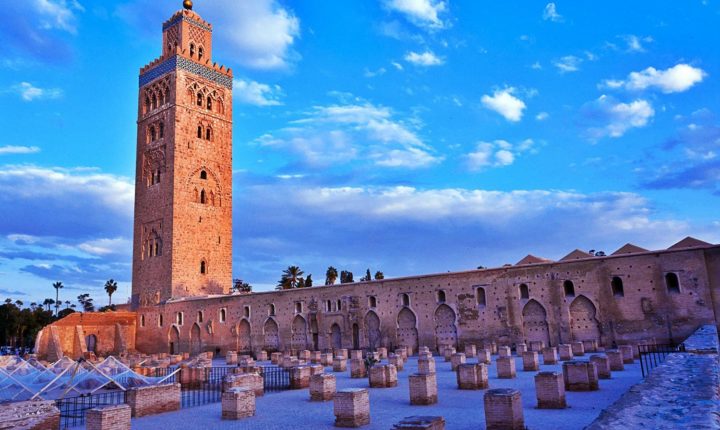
536, 344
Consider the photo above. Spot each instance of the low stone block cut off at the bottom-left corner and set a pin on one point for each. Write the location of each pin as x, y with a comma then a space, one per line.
30, 415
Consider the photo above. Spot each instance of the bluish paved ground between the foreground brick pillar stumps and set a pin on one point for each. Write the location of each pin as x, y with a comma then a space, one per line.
461, 409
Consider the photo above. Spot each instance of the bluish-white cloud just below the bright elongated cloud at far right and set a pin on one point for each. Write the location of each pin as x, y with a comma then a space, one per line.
617, 118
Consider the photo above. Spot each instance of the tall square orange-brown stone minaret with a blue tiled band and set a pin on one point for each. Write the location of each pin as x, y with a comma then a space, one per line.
183, 182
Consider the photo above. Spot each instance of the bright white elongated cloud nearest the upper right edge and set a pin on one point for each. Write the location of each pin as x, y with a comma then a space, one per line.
676, 79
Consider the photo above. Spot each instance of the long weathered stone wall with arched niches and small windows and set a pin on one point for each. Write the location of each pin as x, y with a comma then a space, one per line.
328, 315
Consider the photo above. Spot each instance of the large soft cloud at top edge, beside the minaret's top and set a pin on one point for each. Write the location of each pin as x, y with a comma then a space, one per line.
261, 32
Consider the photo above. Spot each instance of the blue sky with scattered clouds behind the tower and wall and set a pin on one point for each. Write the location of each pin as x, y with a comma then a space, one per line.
408, 136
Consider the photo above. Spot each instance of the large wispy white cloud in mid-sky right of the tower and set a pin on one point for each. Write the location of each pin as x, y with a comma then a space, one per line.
339, 134
